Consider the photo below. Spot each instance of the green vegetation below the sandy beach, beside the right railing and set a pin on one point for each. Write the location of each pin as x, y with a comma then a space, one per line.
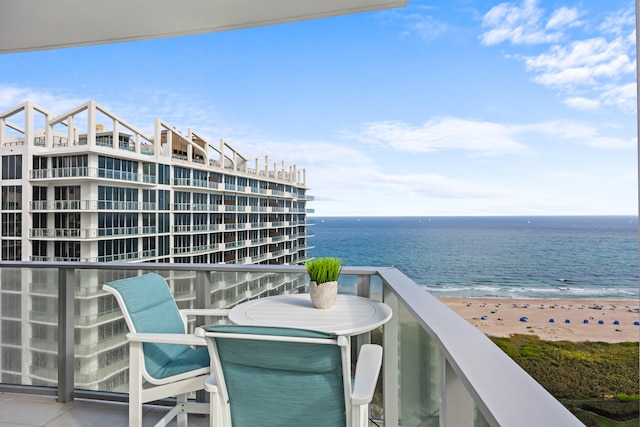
593, 379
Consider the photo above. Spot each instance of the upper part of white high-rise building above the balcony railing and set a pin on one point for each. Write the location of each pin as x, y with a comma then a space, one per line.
88, 186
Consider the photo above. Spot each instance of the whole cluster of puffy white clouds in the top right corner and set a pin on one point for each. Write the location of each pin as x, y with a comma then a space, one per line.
592, 72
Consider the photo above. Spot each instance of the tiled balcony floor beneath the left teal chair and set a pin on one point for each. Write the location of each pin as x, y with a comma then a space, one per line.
23, 410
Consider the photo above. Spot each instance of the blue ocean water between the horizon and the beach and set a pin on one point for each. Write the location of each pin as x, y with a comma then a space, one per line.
506, 257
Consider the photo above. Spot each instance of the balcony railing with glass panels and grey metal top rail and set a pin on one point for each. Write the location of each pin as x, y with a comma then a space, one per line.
438, 369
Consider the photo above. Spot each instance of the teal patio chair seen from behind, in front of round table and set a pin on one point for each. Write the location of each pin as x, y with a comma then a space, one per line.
267, 376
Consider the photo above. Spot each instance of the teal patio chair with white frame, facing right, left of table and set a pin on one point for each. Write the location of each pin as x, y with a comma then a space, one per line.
162, 359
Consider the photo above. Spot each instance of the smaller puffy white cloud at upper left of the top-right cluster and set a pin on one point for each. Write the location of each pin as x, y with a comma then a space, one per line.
524, 24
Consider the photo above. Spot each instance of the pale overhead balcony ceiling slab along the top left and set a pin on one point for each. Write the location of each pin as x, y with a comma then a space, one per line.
28, 25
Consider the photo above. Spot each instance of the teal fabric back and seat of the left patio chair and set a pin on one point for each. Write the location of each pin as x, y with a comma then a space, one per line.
149, 307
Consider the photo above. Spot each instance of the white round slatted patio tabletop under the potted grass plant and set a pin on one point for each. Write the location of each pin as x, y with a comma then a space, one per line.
350, 315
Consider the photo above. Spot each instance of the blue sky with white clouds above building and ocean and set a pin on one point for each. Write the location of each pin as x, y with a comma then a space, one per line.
463, 107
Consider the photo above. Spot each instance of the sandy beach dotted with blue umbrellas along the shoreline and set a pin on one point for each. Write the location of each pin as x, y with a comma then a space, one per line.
588, 320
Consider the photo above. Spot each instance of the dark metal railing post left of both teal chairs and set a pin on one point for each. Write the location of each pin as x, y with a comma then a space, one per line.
66, 312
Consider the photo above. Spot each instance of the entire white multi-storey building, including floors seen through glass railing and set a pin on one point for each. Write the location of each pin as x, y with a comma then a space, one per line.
88, 186
